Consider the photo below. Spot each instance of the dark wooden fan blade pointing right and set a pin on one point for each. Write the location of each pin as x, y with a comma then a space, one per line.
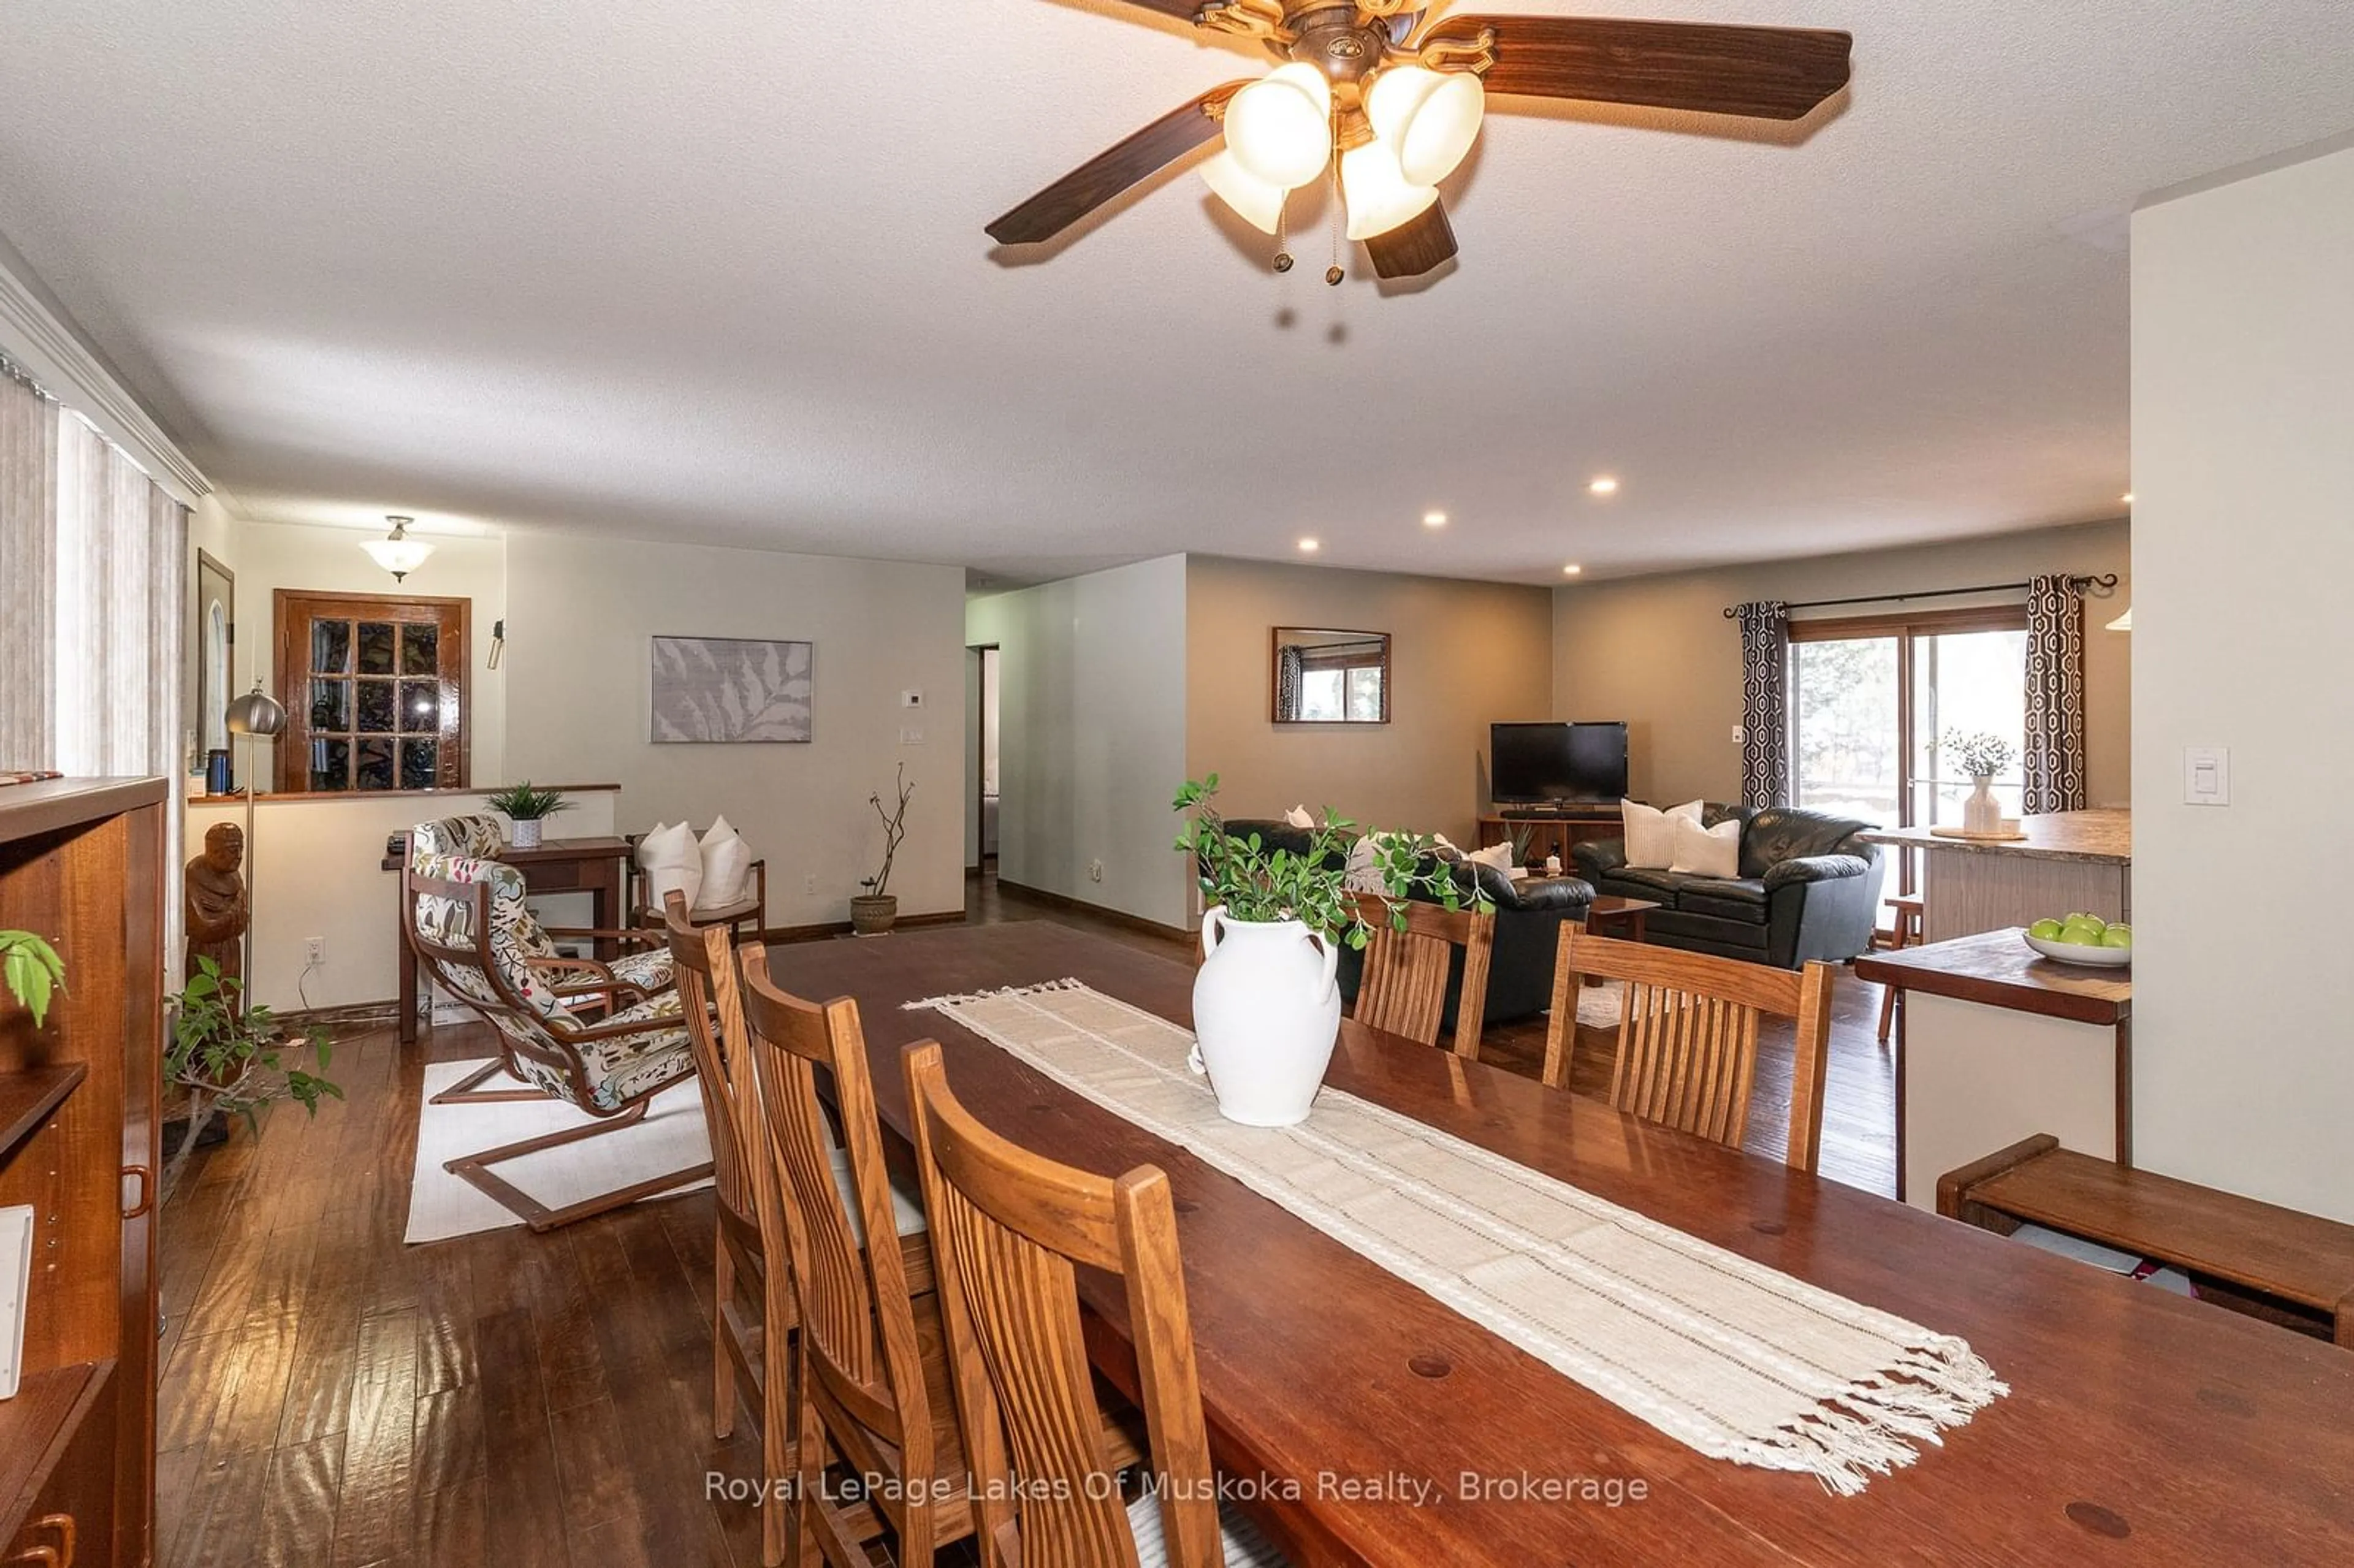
1771, 74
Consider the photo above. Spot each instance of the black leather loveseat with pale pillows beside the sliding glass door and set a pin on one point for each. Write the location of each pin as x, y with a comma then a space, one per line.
1807, 889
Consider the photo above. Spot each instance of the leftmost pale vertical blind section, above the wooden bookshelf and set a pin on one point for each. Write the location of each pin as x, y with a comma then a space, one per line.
27, 573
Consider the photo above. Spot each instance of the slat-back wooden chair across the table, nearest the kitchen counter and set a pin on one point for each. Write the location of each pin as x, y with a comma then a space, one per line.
1689, 1035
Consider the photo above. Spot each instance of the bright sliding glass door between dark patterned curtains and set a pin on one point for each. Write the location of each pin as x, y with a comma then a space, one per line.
1870, 700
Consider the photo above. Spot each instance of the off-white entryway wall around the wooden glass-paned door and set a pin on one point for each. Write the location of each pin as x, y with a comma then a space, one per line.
274, 557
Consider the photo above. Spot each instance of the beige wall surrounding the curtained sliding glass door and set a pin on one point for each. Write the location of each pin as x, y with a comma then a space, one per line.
1658, 653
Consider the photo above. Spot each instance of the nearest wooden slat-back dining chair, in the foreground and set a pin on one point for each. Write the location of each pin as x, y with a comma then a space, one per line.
1009, 1233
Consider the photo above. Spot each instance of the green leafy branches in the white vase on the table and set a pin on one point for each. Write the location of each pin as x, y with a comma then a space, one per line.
1310, 886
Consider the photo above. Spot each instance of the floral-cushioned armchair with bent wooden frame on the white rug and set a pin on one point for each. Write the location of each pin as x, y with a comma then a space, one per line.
601, 1037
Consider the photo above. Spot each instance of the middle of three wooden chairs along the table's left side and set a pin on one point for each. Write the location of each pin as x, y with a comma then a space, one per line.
875, 1393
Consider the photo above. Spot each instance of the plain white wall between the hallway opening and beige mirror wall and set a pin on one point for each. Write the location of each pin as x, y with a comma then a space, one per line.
1091, 740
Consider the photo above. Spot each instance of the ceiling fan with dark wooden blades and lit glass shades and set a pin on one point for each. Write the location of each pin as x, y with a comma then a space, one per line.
1397, 98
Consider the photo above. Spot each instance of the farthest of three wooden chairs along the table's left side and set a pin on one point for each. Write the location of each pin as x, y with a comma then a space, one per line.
752, 1327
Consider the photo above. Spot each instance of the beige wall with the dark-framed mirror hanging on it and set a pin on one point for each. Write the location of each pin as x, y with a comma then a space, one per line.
1463, 656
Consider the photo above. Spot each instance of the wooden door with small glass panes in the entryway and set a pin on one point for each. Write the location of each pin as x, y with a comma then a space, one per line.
375, 691
